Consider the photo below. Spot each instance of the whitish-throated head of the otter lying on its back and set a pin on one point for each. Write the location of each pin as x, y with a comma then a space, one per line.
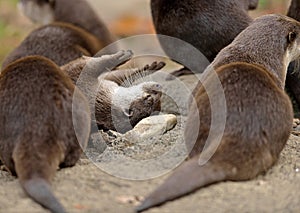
132, 104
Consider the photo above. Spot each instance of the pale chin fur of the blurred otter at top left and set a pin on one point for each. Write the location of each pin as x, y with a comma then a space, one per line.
36, 14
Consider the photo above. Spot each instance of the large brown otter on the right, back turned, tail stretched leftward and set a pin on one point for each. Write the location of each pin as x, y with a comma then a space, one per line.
259, 113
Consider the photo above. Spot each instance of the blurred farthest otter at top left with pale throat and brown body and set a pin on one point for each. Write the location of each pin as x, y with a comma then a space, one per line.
76, 12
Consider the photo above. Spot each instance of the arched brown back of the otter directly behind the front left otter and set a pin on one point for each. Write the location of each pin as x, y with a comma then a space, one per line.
60, 42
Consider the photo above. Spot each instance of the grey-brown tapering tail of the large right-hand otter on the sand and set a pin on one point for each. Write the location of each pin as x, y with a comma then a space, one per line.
186, 179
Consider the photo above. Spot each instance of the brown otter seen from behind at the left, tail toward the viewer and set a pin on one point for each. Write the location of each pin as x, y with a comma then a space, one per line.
38, 125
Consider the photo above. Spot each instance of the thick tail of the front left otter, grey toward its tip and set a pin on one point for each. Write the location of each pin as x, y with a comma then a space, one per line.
34, 174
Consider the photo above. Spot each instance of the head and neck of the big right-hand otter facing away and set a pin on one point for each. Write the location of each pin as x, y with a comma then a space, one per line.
271, 41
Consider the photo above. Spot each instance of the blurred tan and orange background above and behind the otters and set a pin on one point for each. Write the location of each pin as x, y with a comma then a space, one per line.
124, 18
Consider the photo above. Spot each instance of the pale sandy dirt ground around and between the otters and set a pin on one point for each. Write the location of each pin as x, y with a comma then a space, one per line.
94, 184
